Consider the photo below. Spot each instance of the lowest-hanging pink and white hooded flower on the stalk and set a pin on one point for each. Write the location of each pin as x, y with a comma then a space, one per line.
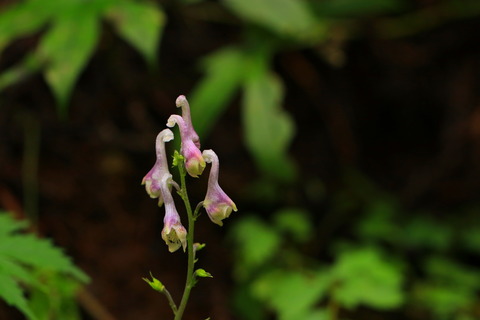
174, 233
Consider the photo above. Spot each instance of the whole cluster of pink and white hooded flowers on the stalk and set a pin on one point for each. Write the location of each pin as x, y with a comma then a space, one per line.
158, 181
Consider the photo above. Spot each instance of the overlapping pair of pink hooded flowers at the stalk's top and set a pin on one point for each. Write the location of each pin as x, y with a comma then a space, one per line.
190, 146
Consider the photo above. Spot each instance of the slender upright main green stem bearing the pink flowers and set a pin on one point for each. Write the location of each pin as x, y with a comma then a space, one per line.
191, 255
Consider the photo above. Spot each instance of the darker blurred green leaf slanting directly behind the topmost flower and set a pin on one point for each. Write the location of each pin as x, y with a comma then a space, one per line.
225, 71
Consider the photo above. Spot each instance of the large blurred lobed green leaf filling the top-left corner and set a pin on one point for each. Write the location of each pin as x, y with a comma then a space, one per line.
72, 32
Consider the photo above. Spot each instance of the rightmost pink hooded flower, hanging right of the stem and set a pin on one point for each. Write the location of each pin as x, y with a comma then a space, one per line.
217, 204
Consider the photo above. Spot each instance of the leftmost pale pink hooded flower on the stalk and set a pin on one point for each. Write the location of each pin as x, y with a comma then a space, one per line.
153, 178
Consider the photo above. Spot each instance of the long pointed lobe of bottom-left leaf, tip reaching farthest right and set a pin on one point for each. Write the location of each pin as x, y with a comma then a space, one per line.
38, 253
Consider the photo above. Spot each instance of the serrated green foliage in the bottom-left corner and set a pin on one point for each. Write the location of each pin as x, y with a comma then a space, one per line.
35, 266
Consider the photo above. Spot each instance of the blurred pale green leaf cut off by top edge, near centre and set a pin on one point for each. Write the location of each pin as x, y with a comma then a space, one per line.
292, 18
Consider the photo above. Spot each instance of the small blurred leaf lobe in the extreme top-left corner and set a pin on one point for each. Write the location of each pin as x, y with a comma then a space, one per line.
20, 19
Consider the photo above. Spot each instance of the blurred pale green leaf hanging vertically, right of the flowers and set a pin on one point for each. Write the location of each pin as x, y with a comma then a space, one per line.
268, 128
